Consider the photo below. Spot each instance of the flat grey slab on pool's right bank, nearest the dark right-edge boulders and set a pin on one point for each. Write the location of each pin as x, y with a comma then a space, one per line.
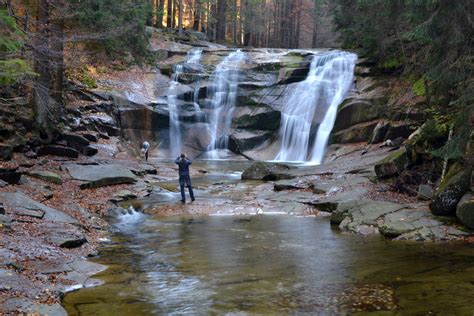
405, 221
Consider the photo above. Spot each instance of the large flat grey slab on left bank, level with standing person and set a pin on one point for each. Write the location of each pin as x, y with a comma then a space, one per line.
100, 175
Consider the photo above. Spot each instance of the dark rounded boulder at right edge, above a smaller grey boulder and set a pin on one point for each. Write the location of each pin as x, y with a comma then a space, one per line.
455, 184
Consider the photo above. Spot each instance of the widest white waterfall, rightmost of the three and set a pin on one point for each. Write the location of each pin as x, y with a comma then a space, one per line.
314, 102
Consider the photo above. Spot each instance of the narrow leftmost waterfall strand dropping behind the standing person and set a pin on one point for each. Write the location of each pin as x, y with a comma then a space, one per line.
192, 58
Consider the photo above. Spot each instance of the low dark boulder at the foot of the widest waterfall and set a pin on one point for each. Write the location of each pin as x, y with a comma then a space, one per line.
267, 172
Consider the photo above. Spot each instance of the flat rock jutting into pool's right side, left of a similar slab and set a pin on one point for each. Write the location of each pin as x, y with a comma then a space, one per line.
353, 214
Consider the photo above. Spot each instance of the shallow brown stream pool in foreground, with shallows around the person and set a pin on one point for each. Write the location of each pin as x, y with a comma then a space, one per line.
266, 264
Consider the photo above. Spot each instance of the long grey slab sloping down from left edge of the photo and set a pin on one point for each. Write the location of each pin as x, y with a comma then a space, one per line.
20, 204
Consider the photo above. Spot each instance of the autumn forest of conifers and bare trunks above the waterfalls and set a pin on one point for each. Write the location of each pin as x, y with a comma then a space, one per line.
428, 41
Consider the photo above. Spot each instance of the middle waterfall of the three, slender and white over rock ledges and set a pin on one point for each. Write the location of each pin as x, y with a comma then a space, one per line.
223, 93
